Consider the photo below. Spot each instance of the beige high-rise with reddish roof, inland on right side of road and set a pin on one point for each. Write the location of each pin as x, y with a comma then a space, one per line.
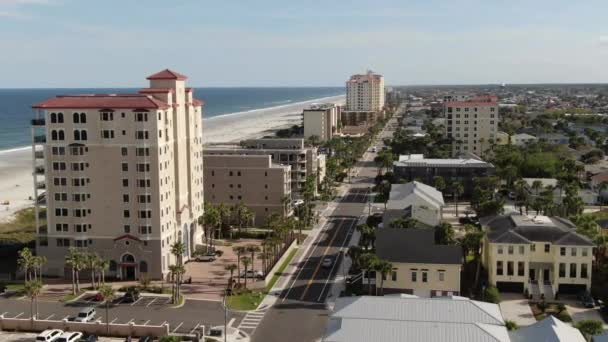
472, 124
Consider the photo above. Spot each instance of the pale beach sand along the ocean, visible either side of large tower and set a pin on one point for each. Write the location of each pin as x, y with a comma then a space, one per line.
16, 182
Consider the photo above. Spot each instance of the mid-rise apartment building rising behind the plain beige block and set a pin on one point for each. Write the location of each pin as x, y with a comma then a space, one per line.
304, 161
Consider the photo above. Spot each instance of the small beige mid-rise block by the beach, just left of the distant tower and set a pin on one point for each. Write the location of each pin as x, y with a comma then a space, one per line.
322, 120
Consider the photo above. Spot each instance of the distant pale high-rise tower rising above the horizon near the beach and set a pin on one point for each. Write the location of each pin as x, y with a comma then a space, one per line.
365, 93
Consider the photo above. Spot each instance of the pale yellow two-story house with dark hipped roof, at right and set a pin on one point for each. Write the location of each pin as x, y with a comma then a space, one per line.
536, 254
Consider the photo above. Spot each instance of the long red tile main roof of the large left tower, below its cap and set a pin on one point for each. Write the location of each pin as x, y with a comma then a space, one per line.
99, 101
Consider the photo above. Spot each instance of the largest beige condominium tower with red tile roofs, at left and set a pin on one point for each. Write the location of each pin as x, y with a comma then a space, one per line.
122, 176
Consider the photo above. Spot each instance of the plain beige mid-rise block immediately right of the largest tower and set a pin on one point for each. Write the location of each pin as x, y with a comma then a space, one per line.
252, 180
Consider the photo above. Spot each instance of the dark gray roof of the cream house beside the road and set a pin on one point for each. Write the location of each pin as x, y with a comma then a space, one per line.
414, 246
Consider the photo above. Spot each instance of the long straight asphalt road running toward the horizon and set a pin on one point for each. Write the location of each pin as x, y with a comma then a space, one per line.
300, 314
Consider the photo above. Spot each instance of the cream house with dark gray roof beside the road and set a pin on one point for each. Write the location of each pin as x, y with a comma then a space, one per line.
420, 266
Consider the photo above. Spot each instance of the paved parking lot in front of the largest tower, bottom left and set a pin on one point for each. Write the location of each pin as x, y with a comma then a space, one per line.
147, 310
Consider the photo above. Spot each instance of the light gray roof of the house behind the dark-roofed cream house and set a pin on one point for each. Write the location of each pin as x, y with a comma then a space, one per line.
404, 195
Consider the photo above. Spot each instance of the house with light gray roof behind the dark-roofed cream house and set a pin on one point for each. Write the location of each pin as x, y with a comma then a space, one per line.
414, 200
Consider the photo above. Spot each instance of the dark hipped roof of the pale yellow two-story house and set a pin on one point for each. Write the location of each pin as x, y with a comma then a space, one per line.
533, 228
